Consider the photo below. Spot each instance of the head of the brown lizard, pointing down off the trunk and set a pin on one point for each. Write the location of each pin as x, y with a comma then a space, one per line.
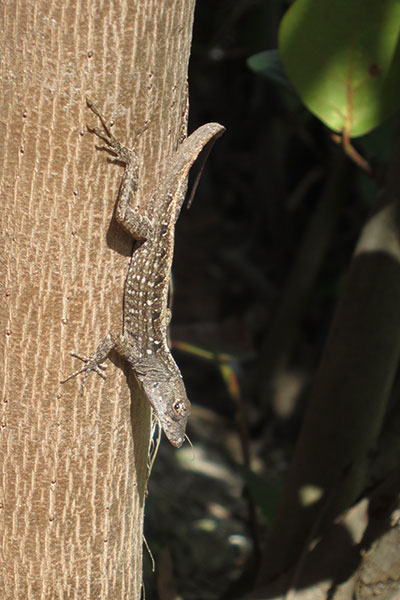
167, 396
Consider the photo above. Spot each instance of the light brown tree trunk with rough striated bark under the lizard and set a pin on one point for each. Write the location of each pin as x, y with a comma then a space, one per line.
74, 464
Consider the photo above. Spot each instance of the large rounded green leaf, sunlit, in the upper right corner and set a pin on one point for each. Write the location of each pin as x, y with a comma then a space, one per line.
343, 58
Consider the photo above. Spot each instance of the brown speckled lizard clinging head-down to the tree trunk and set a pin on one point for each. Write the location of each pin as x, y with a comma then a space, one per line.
143, 342
